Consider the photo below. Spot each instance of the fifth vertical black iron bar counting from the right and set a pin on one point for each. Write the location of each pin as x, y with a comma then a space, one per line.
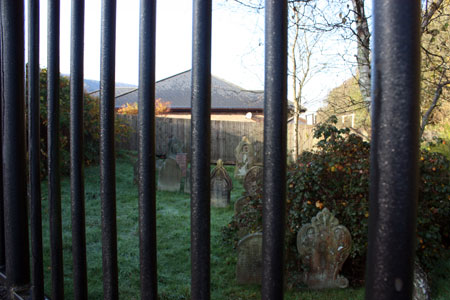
107, 153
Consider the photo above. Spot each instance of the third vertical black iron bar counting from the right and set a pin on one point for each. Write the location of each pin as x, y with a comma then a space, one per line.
200, 150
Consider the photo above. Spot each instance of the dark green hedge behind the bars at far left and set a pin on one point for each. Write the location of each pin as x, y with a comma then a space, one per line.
91, 121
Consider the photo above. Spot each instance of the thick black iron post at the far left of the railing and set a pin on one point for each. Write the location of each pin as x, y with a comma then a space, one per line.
14, 176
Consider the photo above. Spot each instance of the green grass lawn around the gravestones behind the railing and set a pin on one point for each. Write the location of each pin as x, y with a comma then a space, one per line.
173, 217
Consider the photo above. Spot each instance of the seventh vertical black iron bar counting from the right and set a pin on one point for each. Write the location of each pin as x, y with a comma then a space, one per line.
54, 185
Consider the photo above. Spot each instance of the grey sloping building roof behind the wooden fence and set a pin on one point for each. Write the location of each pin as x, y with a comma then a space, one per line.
177, 89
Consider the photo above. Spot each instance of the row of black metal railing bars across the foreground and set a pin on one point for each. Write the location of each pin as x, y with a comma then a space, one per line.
394, 171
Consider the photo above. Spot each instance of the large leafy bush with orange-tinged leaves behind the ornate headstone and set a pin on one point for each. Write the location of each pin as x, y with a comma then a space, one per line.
336, 175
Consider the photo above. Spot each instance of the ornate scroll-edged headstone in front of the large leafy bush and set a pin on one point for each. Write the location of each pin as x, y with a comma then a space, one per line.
324, 245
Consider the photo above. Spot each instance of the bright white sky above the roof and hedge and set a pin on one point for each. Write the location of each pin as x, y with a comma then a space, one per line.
237, 44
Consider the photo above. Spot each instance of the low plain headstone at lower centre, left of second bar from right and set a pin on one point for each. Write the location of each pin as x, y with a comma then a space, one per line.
249, 262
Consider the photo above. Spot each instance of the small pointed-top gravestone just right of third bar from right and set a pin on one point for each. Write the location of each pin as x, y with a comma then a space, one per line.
221, 186
